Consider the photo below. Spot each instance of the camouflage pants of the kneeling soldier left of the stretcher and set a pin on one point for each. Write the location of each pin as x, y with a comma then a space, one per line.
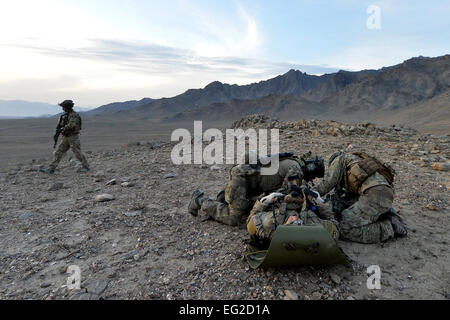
237, 205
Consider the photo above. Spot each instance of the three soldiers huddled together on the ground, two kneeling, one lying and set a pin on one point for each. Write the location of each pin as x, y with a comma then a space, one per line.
358, 188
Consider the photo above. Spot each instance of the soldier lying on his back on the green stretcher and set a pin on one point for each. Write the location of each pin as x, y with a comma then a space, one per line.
288, 209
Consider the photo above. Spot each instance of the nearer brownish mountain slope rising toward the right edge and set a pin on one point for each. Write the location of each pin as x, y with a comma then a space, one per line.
419, 84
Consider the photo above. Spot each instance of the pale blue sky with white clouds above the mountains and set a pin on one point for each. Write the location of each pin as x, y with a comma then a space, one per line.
100, 51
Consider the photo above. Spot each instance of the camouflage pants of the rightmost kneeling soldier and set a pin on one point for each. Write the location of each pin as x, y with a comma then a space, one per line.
360, 223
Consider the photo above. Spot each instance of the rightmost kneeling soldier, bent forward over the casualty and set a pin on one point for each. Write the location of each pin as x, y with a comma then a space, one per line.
368, 183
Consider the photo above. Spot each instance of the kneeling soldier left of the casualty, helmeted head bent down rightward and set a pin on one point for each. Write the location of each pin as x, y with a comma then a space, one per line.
246, 184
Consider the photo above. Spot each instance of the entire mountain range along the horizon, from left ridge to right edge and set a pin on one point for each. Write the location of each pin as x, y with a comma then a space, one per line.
417, 86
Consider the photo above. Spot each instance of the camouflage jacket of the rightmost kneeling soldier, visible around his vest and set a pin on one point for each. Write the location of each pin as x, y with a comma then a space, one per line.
337, 173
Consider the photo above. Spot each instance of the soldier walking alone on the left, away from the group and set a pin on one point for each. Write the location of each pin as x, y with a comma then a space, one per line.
69, 126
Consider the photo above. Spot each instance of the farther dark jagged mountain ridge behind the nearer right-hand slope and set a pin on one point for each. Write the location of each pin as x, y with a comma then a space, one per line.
293, 83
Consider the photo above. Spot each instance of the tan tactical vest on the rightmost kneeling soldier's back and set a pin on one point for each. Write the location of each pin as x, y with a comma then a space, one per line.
359, 171
